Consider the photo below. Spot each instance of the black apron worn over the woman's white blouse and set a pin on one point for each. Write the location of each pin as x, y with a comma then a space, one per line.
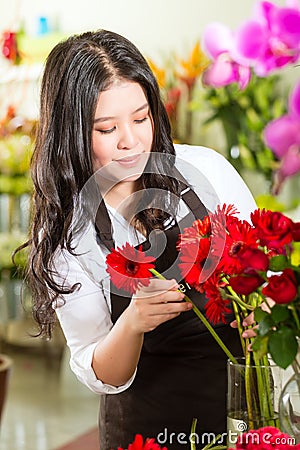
181, 373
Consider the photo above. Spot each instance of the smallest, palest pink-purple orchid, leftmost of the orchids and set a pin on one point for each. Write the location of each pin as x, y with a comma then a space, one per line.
224, 69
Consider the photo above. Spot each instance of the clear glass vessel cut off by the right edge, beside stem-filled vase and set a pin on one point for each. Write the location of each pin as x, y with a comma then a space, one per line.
289, 408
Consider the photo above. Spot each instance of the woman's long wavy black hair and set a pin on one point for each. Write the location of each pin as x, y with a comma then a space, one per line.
76, 71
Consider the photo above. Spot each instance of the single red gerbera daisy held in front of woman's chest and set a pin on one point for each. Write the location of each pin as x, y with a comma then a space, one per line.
129, 267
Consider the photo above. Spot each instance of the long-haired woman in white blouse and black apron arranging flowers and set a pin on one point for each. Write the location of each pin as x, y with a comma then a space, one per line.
106, 173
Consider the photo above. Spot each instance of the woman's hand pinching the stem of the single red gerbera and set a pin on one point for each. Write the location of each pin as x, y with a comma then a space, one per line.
154, 304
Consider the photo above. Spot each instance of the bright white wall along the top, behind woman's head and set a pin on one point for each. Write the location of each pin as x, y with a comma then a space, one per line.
155, 26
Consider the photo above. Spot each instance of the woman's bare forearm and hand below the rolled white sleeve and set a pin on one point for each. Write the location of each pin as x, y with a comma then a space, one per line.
116, 357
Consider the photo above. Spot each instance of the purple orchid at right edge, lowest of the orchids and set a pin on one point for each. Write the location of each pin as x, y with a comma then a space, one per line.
282, 135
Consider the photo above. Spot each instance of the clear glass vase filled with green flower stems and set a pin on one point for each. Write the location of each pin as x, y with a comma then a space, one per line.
252, 396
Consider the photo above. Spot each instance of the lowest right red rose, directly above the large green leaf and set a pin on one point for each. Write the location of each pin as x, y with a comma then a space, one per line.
281, 288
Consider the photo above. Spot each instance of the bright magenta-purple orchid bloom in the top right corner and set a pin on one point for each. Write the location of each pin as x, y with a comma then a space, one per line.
271, 39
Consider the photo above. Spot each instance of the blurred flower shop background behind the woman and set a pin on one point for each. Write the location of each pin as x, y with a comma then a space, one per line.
44, 406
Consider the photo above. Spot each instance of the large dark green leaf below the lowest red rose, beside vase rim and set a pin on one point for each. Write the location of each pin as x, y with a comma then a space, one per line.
283, 346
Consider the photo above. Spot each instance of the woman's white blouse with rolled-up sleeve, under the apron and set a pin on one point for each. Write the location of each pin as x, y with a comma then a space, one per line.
85, 316
